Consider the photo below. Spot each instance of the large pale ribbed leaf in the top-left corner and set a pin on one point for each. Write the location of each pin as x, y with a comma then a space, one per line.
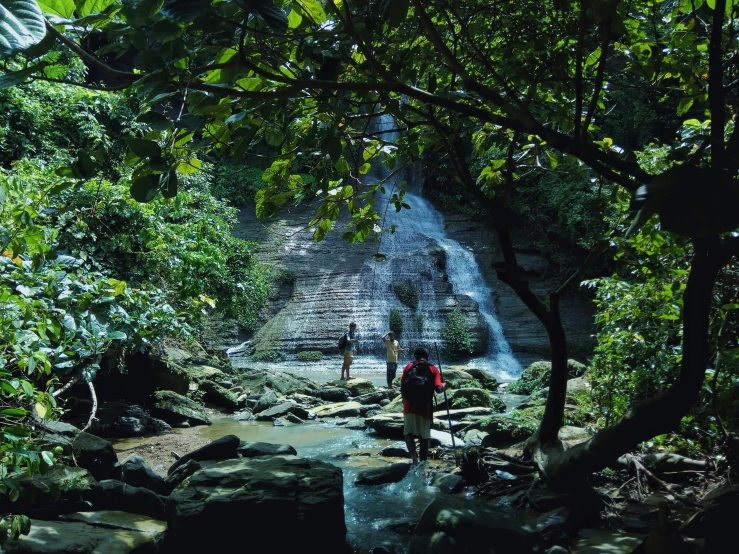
21, 26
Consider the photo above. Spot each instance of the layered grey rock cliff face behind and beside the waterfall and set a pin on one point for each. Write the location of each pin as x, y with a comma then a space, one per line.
326, 285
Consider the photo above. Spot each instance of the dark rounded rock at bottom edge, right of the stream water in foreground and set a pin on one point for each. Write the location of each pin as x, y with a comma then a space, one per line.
450, 524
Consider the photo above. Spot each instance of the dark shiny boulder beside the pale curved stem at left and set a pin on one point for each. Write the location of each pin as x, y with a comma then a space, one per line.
117, 419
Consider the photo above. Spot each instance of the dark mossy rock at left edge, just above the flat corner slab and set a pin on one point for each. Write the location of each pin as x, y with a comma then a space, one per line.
57, 491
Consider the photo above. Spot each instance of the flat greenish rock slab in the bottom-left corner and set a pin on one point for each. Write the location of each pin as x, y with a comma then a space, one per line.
112, 532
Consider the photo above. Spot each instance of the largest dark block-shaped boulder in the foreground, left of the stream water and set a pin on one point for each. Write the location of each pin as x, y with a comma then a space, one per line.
211, 510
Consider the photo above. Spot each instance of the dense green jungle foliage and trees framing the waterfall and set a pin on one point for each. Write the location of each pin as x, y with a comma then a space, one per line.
617, 118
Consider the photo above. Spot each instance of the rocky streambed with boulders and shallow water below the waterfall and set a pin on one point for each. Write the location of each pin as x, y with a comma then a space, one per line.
222, 458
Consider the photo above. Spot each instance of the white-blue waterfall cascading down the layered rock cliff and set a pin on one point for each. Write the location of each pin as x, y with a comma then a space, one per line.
419, 232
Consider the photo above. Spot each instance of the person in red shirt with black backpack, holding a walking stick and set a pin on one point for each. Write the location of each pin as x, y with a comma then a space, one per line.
417, 386
